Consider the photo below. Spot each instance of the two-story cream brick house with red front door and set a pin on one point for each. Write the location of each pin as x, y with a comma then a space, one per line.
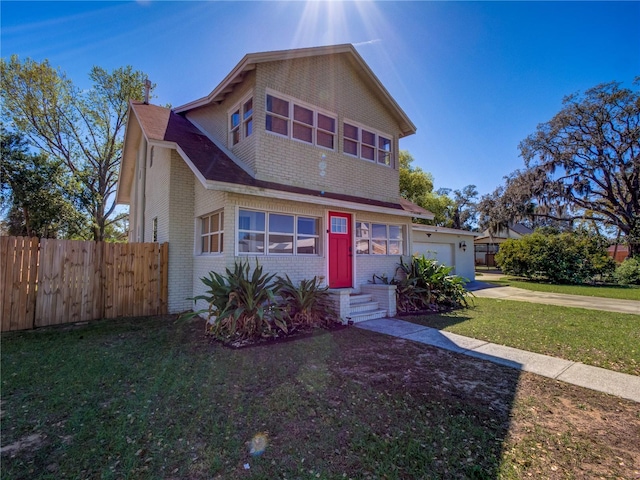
291, 160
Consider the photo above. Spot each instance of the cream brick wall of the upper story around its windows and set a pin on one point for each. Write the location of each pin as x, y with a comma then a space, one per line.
329, 83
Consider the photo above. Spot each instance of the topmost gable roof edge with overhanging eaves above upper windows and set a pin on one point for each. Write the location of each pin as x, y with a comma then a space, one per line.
249, 62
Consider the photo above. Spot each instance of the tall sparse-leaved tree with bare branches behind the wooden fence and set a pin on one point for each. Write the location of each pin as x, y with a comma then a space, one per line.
84, 129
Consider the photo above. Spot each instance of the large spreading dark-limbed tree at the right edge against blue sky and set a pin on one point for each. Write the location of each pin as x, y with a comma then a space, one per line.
582, 165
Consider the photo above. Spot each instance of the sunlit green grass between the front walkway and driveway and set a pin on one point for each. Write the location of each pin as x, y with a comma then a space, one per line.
603, 339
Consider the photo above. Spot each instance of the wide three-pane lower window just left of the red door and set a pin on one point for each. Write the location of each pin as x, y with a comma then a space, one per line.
266, 233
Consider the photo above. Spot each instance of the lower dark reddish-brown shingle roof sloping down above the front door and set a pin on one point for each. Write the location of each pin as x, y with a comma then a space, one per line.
212, 165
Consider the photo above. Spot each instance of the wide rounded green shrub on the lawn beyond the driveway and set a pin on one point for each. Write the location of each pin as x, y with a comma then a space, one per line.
570, 257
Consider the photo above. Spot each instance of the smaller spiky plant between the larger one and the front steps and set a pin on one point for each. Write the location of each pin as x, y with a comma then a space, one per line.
306, 305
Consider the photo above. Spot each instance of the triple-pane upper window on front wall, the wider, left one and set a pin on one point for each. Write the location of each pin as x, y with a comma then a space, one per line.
294, 119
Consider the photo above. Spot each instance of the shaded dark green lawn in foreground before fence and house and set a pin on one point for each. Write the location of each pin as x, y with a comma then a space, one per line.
148, 399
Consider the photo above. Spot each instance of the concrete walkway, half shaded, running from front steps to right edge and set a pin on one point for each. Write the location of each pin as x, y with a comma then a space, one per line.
594, 378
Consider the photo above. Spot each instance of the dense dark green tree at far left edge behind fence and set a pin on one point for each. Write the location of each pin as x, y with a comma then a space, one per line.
36, 193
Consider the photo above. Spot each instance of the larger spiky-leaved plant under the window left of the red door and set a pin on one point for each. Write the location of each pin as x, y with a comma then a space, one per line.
242, 305
